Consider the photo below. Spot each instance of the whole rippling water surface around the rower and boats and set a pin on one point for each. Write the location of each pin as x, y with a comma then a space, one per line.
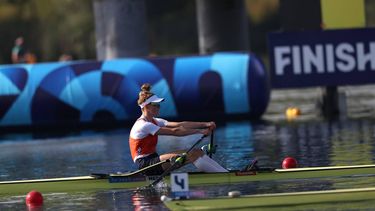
312, 141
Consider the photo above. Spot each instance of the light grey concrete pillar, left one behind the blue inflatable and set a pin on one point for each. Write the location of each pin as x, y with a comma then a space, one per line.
120, 28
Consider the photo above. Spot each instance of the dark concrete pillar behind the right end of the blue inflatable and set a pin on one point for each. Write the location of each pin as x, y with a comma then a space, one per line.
222, 26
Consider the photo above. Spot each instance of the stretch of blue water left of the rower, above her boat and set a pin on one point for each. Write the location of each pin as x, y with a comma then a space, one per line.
68, 156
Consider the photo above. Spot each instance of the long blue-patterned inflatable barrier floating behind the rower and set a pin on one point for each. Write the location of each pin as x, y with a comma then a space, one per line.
221, 84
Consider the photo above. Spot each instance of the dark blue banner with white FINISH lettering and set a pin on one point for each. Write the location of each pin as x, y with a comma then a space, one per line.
322, 58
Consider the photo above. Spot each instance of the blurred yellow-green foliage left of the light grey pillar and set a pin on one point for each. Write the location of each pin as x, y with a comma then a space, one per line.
50, 28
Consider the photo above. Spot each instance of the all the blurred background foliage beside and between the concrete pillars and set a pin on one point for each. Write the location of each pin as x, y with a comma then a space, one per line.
55, 27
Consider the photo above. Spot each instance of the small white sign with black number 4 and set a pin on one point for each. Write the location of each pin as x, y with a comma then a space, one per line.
180, 185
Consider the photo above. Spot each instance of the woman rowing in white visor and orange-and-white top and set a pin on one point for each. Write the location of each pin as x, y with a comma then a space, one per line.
144, 137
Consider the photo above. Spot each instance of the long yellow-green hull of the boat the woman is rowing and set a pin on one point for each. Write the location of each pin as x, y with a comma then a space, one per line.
135, 180
